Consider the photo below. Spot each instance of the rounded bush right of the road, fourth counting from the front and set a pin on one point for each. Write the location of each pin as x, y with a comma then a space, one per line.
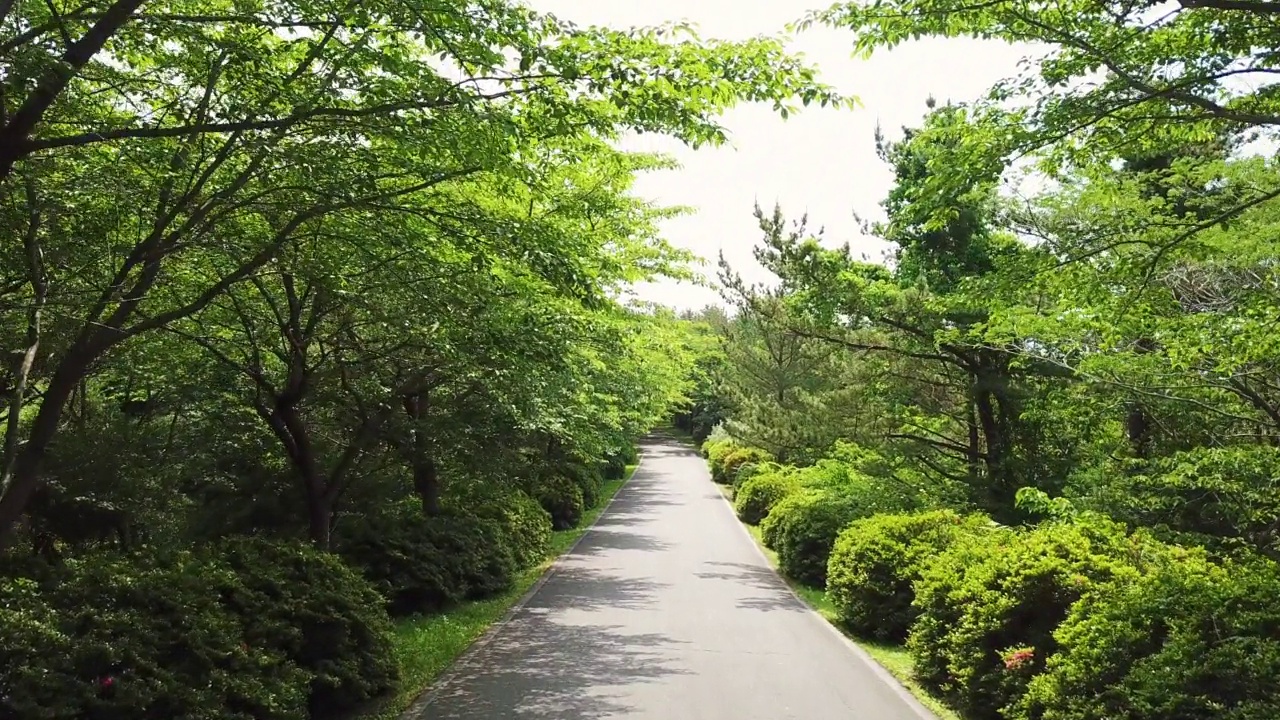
803, 527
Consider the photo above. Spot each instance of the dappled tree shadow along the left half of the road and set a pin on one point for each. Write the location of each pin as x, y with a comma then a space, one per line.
565, 655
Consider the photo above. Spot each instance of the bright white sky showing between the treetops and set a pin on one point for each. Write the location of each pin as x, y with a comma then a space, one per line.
821, 162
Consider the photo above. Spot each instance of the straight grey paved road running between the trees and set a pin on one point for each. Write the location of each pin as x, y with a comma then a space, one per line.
665, 612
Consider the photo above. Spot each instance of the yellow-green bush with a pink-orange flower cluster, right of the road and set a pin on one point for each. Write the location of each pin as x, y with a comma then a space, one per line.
989, 609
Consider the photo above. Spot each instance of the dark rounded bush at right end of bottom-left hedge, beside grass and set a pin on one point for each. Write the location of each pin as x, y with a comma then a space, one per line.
316, 612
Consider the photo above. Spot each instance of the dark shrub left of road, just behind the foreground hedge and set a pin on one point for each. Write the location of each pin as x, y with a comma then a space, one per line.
426, 564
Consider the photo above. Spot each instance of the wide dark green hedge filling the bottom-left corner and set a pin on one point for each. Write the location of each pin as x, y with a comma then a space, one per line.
246, 630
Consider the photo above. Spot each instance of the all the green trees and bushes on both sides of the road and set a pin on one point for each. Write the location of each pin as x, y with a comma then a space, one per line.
321, 329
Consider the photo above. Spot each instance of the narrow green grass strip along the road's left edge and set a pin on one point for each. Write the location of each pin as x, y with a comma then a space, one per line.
427, 646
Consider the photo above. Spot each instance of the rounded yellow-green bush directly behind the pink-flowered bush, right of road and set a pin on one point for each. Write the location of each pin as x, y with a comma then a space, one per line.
877, 560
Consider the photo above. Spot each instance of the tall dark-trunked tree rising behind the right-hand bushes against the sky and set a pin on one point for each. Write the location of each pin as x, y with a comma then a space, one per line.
959, 400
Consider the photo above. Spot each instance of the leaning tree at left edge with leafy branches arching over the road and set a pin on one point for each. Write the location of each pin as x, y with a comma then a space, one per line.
220, 138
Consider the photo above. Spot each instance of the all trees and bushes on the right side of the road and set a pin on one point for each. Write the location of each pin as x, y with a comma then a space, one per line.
1039, 445
